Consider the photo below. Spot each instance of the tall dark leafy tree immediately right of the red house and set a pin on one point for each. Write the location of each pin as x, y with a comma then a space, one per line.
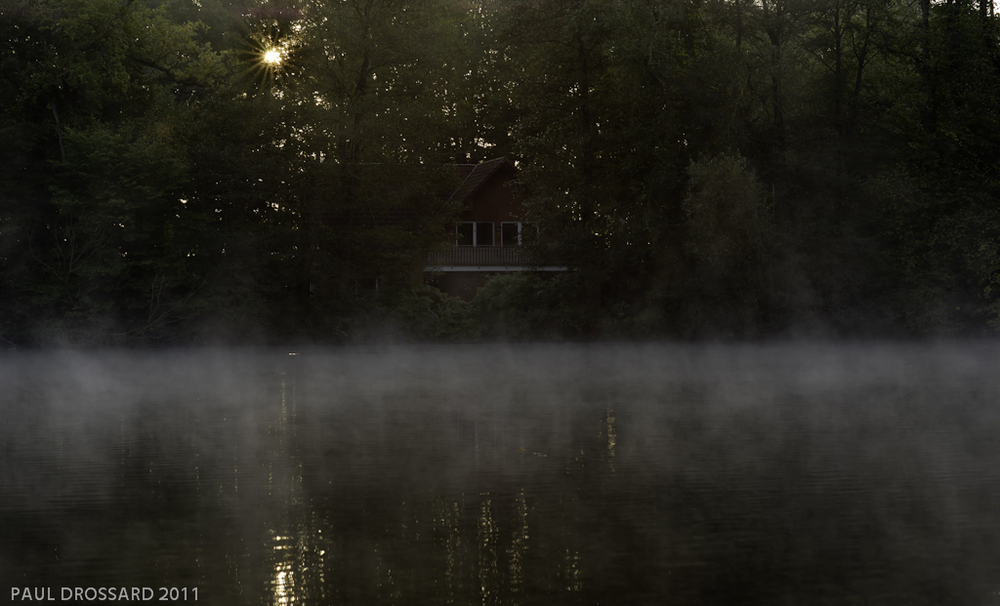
605, 120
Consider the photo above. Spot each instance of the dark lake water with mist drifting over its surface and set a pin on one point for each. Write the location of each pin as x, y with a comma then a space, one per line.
504, 475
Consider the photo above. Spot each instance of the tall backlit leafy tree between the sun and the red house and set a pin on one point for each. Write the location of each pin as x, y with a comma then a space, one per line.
367, 98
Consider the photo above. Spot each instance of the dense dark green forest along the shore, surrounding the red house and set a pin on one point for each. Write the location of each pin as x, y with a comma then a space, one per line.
706, 168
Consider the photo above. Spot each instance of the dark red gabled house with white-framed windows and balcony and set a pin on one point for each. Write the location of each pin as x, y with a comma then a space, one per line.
489, 238
